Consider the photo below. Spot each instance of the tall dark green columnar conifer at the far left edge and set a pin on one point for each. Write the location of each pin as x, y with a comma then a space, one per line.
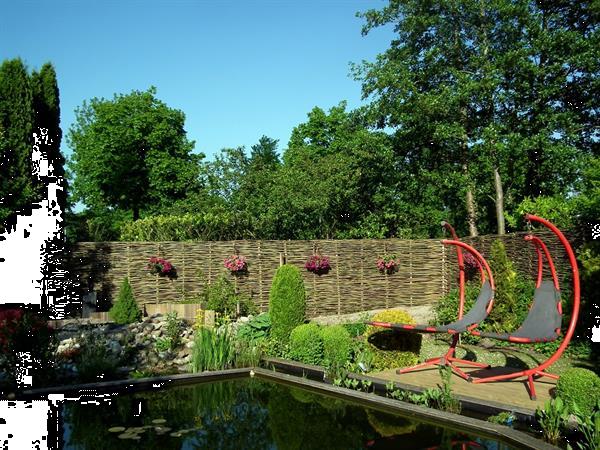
17, 190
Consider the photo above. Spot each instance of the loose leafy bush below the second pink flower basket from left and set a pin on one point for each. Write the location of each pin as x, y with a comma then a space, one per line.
221, 297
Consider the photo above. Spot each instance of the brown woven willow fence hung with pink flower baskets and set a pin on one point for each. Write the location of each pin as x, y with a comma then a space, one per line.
427, 269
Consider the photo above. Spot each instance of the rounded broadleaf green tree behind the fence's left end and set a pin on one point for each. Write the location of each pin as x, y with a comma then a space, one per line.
131, 153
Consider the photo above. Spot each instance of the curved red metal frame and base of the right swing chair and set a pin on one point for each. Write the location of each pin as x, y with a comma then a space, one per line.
540, 370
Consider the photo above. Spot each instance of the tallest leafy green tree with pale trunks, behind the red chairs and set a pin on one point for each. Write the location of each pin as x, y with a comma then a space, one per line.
475, 93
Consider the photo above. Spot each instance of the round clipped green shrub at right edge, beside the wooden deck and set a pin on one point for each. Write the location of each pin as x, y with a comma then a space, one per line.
581, 387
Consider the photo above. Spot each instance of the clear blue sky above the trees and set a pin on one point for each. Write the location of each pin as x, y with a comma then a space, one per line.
237, 69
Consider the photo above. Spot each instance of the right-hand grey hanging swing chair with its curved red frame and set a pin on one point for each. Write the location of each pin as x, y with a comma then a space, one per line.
543, 322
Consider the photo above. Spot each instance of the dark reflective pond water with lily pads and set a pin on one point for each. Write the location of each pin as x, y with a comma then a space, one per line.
248, 414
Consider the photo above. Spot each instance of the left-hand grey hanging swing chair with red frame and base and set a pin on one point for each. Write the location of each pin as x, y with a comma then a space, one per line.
465, 323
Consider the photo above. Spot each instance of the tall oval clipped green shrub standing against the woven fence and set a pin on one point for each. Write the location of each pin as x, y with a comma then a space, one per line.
287, 302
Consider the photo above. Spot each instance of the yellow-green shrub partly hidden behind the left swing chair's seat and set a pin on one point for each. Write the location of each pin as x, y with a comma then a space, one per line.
391, 349
